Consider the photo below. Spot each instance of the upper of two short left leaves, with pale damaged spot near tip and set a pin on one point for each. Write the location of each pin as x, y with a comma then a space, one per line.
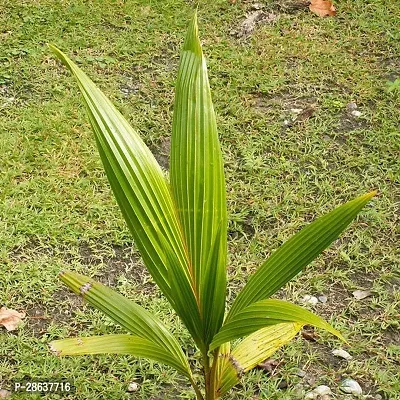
129, 315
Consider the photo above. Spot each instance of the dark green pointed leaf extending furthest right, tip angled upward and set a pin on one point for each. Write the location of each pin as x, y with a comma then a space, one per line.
296, 253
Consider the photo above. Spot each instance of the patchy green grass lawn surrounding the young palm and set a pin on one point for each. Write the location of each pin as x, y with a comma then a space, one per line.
56, 210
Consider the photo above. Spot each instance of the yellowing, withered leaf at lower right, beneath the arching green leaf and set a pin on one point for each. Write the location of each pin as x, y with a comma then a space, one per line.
256, 348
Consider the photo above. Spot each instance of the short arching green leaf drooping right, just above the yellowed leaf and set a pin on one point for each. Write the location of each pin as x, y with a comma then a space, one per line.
265, 313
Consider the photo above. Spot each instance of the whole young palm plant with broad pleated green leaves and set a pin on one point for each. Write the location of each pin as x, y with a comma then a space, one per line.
180, 228
